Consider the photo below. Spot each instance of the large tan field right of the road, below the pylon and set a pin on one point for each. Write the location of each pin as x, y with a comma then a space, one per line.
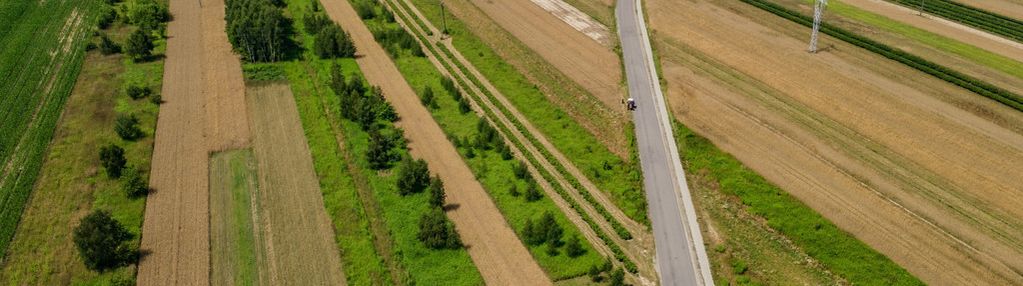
912, 166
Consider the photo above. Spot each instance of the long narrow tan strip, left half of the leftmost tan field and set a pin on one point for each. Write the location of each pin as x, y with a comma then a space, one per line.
175, 234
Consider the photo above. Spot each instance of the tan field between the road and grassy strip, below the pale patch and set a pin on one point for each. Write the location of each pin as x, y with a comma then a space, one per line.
594, 67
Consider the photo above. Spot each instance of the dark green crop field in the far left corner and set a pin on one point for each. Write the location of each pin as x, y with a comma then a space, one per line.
41, 53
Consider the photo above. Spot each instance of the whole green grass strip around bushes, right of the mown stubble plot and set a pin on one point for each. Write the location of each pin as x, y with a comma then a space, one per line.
364, 264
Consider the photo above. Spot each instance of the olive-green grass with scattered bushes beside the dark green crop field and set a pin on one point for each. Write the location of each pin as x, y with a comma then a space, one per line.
73, 183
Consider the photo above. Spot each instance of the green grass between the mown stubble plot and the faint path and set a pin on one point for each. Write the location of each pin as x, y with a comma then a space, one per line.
366, 249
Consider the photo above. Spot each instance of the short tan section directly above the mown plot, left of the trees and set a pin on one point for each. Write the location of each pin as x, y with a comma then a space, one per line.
228, 123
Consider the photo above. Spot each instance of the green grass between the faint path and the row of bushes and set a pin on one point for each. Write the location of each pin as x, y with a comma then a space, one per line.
425, 267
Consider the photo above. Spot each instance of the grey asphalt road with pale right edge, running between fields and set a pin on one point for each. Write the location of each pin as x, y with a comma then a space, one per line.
682, 259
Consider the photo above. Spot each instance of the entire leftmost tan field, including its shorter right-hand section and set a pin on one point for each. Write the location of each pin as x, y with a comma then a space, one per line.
199, 91
